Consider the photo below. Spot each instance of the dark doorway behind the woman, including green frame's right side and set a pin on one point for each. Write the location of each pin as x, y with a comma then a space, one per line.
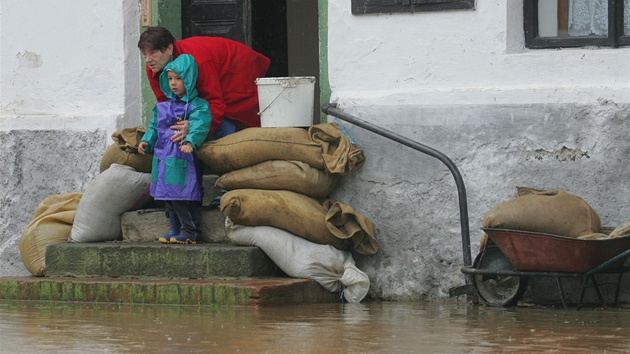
286, 31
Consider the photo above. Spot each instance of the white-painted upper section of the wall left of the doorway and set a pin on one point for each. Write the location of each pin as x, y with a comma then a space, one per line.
68, 64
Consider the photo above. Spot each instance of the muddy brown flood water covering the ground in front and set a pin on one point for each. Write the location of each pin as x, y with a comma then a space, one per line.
374, 327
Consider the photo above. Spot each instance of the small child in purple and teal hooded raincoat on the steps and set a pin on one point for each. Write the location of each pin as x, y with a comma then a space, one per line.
176, 172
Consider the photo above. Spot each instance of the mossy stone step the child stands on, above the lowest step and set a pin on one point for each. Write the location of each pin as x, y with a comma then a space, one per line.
157, 261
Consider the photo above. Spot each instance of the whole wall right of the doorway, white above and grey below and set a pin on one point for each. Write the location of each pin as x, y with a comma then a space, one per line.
463, 83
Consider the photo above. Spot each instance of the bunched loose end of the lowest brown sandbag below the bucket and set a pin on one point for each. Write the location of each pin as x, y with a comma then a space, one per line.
346, 223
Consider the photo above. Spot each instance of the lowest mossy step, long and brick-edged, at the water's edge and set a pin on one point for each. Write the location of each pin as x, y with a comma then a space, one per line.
215, 292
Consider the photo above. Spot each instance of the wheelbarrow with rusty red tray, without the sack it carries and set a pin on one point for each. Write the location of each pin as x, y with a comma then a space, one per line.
510, 257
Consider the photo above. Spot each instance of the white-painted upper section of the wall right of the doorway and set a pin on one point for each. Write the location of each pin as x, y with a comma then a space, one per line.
462, 57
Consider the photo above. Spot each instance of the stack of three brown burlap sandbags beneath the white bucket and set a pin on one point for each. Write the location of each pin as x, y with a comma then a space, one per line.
280, 177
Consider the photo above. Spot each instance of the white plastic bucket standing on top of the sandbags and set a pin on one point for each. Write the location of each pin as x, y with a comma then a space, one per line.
286, 101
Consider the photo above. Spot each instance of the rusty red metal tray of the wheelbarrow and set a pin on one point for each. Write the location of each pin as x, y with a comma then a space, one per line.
531, 251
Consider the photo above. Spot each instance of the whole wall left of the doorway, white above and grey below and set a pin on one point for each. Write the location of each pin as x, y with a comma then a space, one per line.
70, 78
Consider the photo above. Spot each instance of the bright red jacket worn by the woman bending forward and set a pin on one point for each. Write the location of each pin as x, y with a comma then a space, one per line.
227, 73
